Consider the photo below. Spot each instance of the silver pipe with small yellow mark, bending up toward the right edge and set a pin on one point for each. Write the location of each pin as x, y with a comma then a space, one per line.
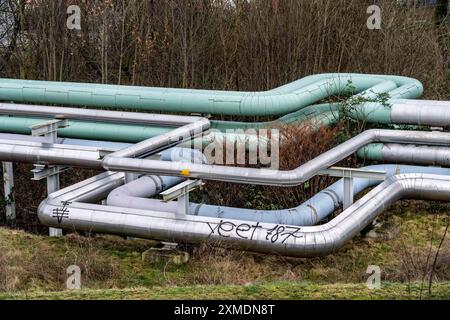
262, 176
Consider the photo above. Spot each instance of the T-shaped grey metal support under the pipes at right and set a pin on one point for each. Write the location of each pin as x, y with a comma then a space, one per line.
348, 174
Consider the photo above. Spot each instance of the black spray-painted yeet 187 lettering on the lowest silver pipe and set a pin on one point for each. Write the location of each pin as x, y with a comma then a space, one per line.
277, 234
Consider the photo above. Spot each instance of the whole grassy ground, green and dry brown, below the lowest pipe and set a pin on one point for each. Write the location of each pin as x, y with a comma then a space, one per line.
34, 267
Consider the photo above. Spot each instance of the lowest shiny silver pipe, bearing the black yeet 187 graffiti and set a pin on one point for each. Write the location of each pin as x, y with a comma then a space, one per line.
64, 210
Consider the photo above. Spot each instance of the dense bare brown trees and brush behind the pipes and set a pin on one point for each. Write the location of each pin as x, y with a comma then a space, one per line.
222, 44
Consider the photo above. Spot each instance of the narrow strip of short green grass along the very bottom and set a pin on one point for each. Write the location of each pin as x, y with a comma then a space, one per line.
272, 291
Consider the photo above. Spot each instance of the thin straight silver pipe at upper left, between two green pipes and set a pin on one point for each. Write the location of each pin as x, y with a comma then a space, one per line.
97, 115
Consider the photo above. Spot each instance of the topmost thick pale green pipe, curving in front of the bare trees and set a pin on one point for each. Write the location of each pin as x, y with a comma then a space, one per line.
280, 101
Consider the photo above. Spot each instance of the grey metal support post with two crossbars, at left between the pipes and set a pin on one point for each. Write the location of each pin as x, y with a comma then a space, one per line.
49, 130
